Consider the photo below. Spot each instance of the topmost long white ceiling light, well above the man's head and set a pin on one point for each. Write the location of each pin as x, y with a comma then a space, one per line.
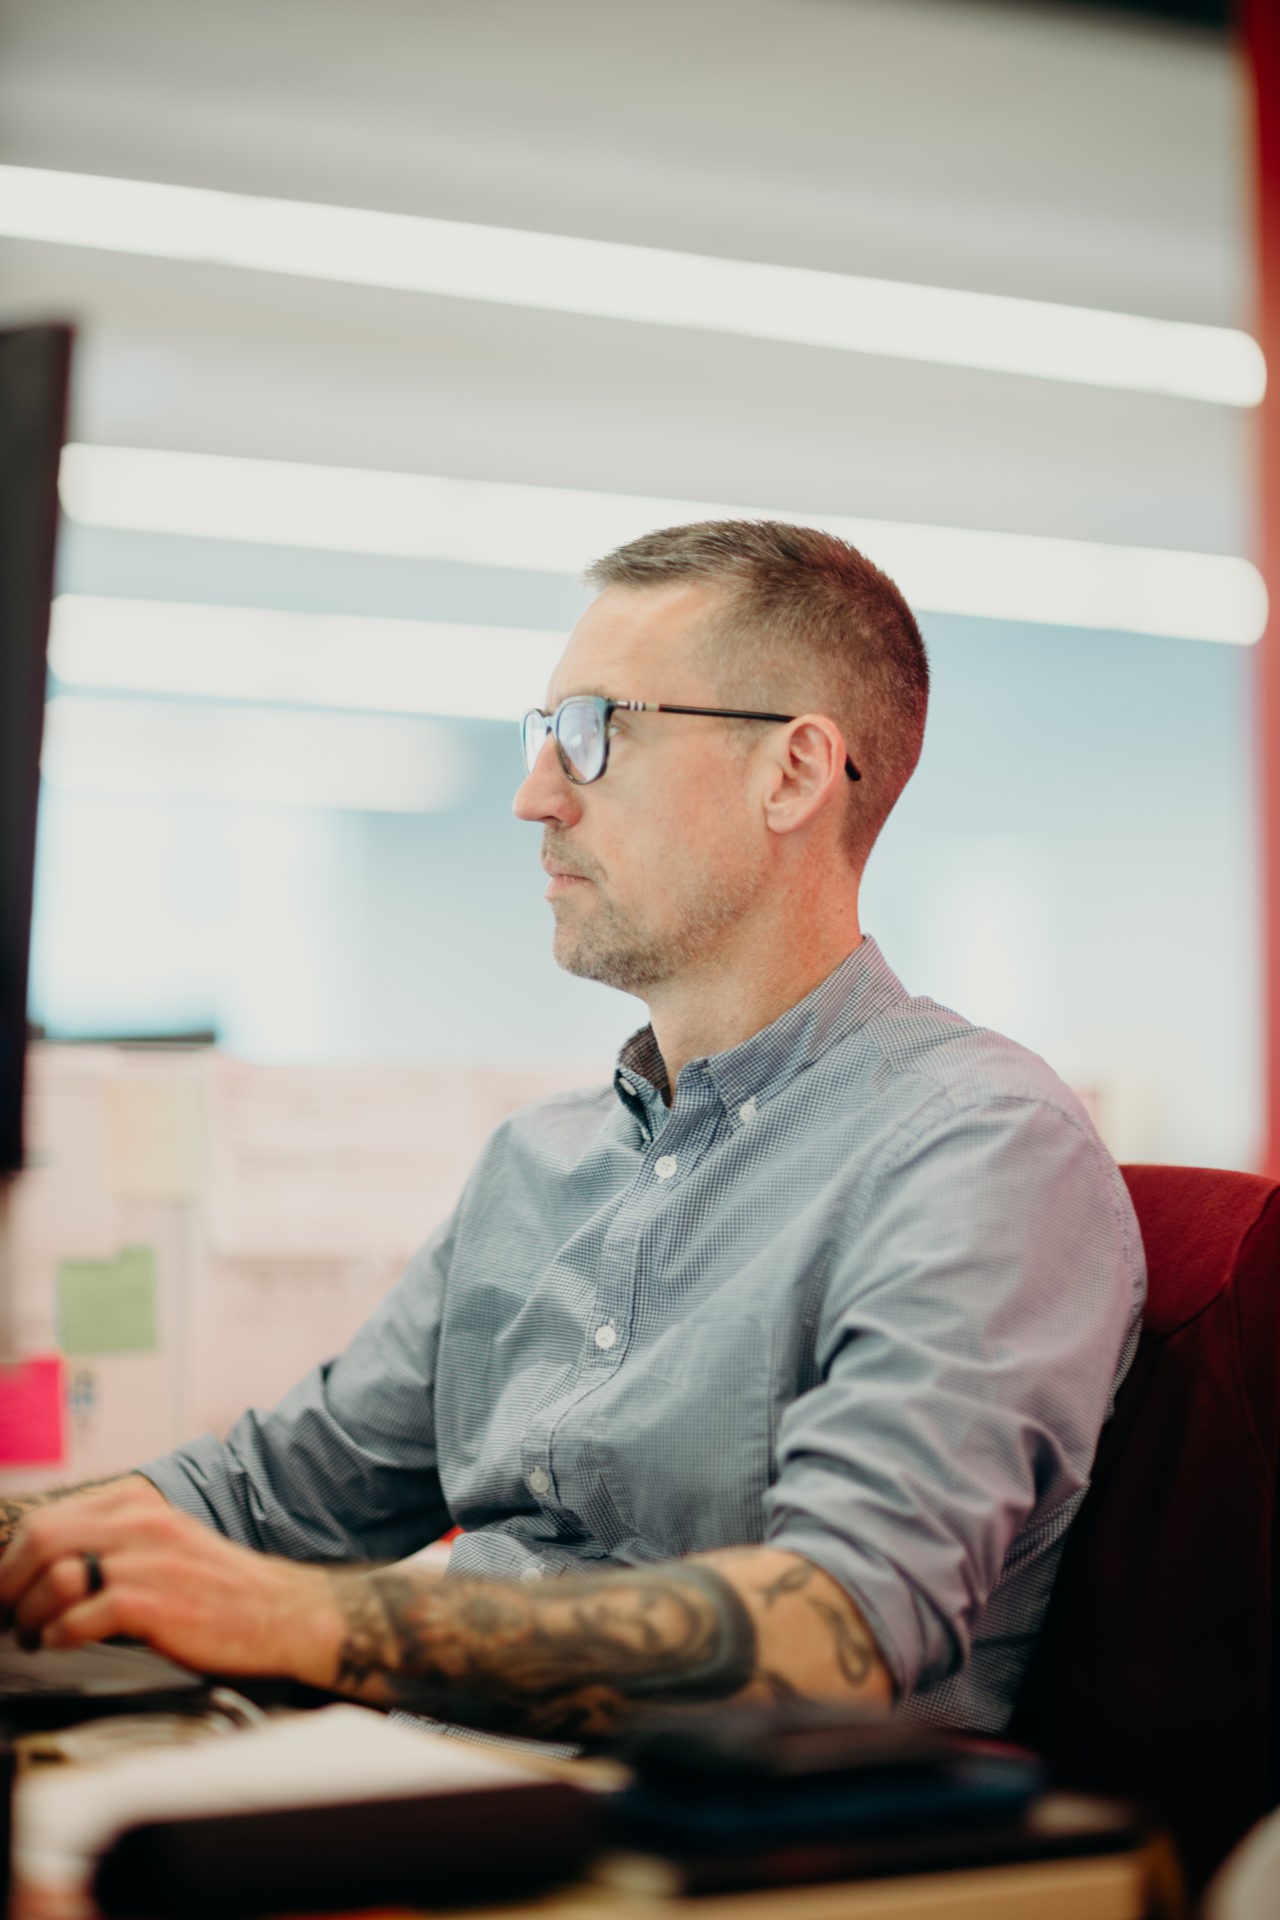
634, 283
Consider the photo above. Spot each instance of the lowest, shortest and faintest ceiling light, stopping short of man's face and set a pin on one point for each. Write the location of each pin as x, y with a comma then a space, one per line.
249, 756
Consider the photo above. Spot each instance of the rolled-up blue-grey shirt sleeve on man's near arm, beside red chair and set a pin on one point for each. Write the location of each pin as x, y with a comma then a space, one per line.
968, 1353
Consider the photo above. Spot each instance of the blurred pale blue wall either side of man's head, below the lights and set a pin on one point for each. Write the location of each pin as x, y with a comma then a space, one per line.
1074, 865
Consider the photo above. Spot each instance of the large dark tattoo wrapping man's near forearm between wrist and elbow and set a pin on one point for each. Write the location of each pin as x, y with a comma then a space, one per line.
567, 1658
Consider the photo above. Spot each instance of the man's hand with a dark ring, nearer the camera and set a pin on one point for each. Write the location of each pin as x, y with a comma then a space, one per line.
170, 1581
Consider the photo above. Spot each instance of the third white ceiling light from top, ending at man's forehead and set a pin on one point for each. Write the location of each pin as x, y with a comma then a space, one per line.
300, 660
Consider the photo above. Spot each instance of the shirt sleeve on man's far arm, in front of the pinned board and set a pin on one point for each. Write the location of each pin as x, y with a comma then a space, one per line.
346, 1466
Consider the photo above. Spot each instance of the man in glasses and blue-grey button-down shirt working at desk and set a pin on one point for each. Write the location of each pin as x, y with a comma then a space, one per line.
772, 1370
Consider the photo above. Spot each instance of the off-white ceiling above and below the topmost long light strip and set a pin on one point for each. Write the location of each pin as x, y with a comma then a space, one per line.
945, 143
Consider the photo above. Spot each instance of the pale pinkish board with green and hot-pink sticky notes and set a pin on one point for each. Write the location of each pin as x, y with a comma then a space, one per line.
197, 1232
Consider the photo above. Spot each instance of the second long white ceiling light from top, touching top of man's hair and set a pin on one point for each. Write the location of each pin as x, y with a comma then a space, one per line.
941, 569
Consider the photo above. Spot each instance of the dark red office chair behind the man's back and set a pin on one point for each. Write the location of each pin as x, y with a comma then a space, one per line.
1158, 1671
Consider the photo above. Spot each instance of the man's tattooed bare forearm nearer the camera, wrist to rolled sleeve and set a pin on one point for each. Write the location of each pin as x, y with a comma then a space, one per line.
579, 1656
